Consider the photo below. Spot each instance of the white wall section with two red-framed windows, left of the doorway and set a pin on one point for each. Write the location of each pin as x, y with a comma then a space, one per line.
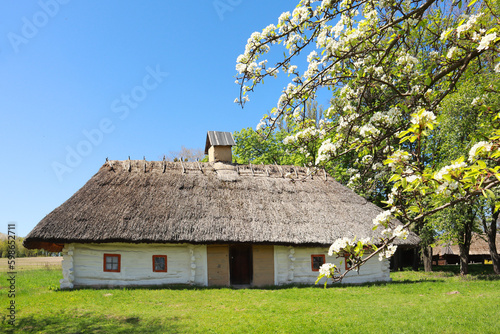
186, 264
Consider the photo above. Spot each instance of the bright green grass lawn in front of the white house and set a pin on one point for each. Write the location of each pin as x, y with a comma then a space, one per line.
414, 302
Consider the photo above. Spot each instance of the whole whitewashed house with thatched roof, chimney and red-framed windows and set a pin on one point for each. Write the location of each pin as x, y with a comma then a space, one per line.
215, 224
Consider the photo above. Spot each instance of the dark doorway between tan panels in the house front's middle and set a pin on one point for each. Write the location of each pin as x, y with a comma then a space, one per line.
240, 264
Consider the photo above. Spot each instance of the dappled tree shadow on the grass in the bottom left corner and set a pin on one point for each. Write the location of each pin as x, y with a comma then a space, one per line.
86, 323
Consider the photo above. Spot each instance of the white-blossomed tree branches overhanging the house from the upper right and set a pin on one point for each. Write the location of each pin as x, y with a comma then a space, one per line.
389, 64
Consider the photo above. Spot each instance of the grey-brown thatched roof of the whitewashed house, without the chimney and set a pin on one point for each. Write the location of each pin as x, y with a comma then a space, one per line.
176, 202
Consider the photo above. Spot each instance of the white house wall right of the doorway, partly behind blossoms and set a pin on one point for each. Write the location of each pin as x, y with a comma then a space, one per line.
293, 265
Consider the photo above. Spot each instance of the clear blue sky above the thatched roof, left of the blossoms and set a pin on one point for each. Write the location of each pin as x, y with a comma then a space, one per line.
115, 79
